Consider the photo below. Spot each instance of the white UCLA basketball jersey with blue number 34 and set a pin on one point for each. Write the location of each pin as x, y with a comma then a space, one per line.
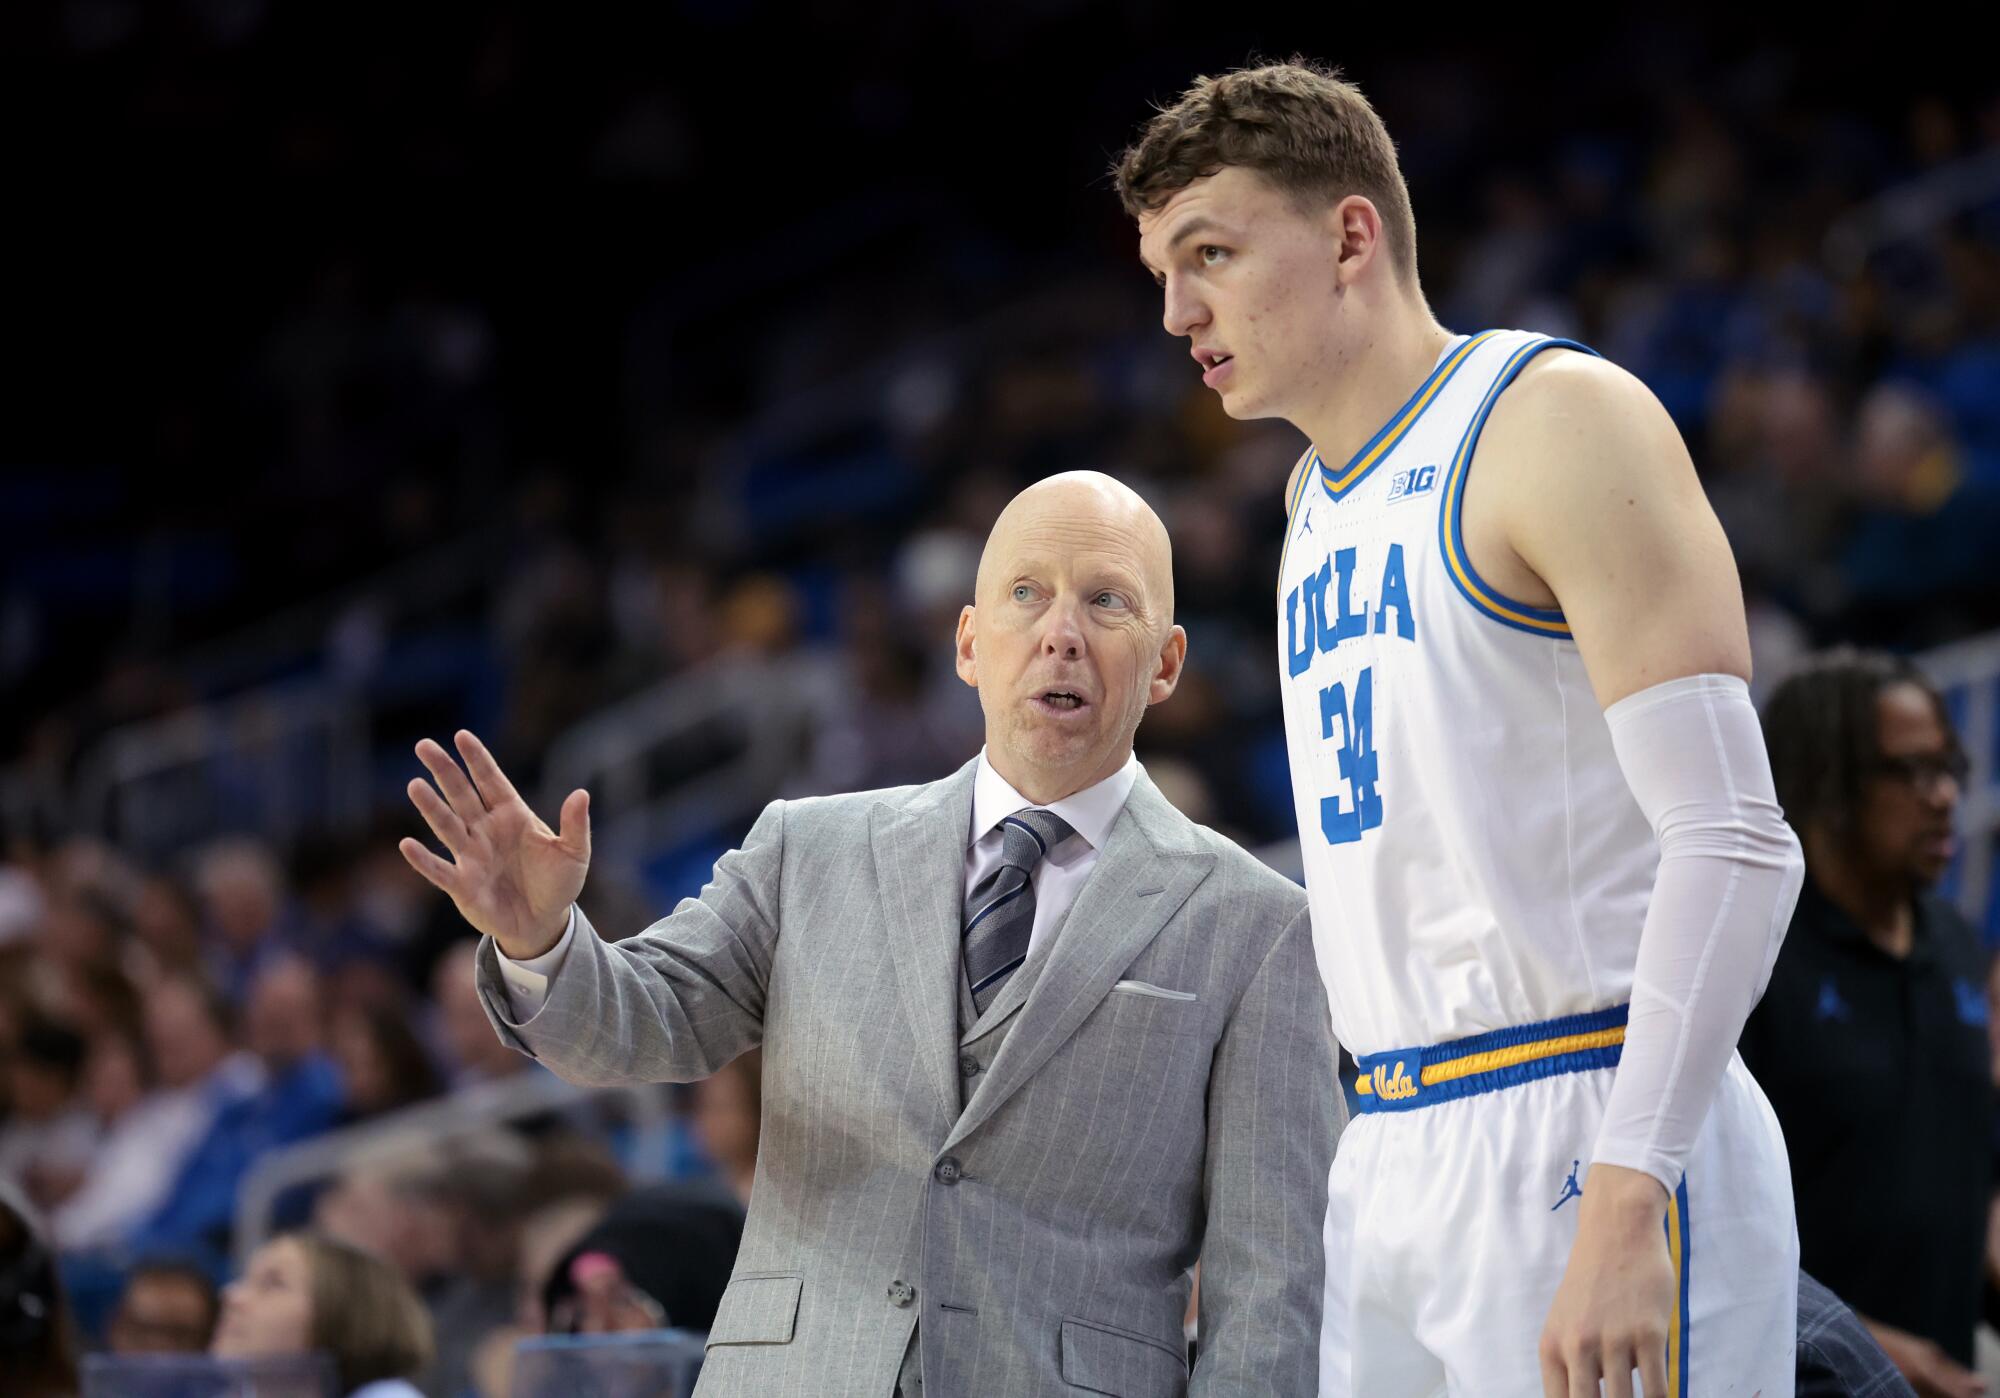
1475, 859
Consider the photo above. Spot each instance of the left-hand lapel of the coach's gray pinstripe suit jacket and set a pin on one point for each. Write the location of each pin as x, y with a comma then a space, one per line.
921, 865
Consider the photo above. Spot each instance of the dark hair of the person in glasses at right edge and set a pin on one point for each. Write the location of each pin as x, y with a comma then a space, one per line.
1823, 731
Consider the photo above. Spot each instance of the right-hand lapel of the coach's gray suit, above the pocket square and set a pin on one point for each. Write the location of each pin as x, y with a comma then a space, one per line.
1143, 877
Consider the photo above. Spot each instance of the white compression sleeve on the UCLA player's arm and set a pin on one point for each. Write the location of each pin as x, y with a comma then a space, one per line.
1731, 871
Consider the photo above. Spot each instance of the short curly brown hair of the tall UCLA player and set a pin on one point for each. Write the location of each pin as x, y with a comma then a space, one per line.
1299, 125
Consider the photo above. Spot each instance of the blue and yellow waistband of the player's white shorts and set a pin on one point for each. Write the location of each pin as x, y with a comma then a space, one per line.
1409, 1079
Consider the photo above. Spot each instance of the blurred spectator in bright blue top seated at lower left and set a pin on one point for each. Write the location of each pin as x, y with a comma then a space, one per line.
299, 1097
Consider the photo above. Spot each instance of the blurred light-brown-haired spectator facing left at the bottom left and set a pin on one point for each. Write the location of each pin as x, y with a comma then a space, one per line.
305, 1295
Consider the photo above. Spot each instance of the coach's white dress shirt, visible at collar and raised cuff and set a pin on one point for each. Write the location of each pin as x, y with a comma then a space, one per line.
1057, 881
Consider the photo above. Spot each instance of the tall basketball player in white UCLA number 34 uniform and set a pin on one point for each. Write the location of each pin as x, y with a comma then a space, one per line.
1547, 869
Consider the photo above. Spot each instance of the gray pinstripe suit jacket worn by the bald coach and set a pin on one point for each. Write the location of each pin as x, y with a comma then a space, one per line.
1039, 1221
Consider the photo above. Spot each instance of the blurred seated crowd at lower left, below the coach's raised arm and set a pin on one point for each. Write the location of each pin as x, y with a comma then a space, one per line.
161, 1035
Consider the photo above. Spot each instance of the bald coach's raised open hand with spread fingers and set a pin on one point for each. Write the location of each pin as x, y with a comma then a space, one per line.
511, 875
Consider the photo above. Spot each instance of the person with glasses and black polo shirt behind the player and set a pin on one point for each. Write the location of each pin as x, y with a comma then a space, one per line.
1871, 1039
